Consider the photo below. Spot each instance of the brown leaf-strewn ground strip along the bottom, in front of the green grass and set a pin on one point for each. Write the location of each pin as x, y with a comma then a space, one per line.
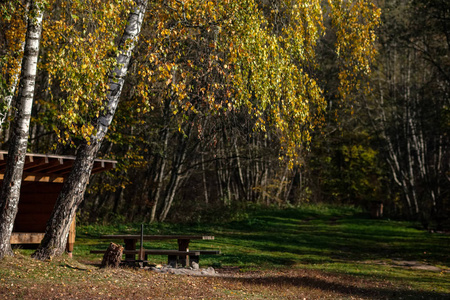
230, 283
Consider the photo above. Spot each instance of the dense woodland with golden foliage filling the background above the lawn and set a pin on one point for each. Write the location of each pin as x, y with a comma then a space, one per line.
224, 105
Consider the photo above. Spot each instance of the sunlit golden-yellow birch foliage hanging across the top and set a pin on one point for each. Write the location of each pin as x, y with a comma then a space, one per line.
203, 57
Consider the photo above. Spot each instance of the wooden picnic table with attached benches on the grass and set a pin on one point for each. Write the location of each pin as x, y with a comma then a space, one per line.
181, 255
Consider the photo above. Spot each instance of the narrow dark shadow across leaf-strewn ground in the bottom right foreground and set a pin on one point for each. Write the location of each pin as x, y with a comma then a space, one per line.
346, 290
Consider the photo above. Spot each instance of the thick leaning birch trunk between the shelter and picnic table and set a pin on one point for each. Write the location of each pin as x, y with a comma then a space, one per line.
72, 193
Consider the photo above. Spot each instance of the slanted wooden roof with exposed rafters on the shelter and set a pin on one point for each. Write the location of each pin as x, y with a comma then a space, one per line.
51, 168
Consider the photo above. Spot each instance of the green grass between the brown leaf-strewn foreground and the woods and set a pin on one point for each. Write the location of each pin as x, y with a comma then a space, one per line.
340, 241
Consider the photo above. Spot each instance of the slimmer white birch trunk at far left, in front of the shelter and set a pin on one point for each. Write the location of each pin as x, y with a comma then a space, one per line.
10, 193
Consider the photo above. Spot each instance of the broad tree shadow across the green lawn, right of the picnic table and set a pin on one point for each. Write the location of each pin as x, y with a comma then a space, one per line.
346, 236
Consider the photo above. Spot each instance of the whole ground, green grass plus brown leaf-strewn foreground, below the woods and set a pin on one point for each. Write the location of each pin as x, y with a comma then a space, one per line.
310, 252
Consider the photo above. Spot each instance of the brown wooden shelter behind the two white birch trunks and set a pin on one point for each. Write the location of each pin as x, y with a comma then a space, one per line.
43, 178
